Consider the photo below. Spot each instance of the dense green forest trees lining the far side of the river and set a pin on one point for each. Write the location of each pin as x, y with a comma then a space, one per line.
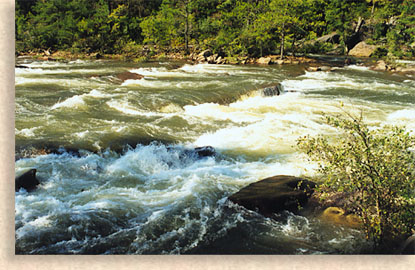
229, 27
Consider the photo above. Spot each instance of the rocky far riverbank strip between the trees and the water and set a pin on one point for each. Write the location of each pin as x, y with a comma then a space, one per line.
311, 62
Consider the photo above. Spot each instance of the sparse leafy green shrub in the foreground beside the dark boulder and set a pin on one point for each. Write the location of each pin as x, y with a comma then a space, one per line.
375, 166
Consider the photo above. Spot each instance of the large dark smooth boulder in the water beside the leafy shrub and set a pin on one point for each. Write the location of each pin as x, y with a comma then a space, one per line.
275, 194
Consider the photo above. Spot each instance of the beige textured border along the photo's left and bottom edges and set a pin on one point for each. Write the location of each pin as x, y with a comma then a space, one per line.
9, 261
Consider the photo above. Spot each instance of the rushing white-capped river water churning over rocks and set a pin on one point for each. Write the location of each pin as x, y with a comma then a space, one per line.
135, 185
